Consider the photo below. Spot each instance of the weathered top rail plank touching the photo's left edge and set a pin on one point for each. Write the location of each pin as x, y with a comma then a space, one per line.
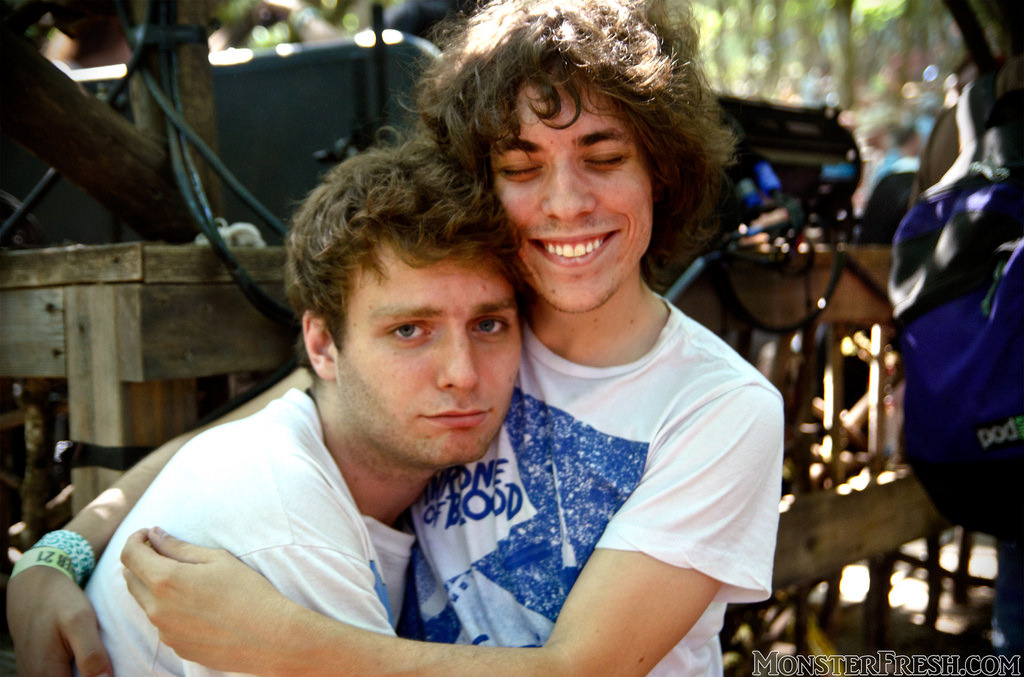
71, 266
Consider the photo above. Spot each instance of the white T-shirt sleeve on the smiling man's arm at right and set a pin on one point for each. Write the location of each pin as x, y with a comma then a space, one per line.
709, 497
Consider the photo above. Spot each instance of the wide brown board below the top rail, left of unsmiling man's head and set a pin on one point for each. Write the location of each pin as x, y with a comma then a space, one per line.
187, 331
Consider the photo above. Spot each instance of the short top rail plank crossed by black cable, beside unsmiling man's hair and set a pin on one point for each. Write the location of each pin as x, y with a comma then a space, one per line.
195, 264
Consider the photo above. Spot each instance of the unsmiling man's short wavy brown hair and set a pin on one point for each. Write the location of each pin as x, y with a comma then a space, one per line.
406, 197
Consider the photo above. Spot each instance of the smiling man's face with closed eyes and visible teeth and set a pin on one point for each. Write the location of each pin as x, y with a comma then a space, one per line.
582, 198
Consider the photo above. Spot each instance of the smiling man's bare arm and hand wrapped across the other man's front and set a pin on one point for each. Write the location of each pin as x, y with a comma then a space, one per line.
610, 625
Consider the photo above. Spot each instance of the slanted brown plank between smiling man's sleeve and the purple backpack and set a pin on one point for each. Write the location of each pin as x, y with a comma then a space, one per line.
822, 532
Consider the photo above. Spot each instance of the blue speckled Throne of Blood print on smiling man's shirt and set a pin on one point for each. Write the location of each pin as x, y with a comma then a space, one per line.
575, 477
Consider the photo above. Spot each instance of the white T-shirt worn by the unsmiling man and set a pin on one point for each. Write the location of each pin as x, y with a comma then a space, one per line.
267, 490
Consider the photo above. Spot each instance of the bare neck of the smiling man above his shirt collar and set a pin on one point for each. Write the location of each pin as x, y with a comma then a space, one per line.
620, 331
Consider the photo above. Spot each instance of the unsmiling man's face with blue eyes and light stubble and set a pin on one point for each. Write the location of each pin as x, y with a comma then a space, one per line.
425, 373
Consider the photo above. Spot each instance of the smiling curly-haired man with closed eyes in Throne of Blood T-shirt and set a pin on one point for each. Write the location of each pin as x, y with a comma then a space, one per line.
634, 489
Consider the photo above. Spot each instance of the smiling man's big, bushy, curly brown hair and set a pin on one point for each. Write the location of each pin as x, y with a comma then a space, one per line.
634, 53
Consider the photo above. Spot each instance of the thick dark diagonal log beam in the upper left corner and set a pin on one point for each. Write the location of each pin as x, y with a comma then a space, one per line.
89, 143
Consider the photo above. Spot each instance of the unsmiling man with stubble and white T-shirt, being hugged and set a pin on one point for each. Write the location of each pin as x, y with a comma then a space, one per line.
405, 277
